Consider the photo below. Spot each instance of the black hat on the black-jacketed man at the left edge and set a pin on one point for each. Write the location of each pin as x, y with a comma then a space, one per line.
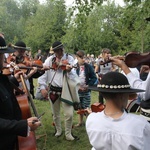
4, 48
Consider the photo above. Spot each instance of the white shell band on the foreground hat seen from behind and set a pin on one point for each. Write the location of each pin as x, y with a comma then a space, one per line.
113, 86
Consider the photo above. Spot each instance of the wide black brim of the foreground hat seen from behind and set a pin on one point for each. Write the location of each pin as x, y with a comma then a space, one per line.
130, 90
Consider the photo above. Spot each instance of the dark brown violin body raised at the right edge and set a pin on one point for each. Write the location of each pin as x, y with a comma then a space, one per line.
134, 59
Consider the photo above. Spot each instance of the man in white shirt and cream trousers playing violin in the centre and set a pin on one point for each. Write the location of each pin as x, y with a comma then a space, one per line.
54, 78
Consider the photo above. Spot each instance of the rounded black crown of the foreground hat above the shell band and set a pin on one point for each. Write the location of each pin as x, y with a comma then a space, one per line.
114, 79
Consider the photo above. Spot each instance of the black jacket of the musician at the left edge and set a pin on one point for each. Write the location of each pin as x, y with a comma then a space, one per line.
11, 124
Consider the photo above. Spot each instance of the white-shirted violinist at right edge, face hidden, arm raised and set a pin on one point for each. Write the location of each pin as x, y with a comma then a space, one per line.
136, 82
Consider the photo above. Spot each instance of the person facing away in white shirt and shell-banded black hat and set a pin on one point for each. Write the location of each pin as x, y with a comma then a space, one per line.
114, 128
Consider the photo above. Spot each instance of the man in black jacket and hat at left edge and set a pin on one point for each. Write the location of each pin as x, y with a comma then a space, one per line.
11, 123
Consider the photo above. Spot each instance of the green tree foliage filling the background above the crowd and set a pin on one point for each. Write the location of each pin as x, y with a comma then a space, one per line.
88, 25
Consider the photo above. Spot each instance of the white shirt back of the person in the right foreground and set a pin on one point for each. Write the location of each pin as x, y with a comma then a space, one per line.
129, 132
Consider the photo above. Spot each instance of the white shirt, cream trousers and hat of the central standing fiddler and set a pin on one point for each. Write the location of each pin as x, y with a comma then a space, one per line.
54, 79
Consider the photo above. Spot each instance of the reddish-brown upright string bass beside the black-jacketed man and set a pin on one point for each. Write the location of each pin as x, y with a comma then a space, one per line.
29, 142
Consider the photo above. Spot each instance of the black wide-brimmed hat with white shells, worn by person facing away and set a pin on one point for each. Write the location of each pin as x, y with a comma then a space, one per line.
114, 82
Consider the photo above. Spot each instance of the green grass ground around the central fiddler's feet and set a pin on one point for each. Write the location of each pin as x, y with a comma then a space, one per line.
45, 134
